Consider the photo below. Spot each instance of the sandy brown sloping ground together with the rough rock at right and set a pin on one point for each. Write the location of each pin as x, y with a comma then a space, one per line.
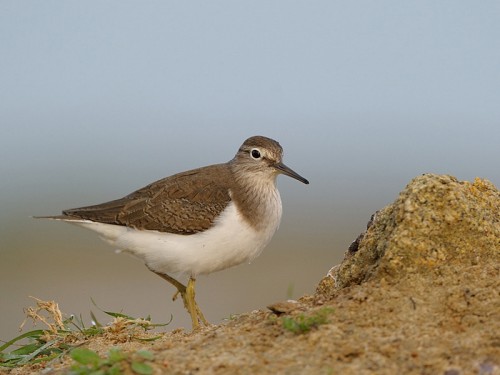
417, 293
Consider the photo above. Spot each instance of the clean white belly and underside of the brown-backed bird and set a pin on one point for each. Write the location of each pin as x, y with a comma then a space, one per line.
229, 242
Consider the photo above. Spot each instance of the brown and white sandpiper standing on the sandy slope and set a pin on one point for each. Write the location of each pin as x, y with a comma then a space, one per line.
196, 222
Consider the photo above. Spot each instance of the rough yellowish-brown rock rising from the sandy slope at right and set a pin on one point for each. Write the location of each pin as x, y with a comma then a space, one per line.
437, 225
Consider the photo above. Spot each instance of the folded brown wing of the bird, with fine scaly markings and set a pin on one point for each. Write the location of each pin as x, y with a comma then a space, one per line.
184, 203
